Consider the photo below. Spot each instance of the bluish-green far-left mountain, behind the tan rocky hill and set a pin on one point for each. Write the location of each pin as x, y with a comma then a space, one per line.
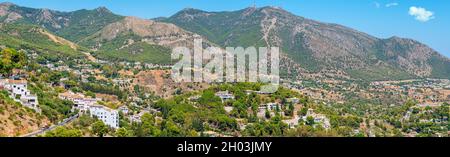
74, 25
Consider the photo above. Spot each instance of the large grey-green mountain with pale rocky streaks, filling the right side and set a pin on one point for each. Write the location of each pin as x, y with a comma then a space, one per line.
315, 45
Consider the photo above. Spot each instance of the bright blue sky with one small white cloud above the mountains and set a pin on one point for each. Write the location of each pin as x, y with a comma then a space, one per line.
427, 22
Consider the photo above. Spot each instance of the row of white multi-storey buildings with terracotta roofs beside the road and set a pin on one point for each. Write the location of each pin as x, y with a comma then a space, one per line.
89, 105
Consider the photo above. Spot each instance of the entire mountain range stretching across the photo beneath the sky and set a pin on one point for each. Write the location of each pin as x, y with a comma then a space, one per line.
306, 44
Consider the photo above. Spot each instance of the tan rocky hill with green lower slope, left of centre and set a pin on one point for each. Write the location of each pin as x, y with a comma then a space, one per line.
145, 40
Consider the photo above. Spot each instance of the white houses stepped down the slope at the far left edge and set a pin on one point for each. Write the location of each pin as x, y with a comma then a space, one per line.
18, 90
